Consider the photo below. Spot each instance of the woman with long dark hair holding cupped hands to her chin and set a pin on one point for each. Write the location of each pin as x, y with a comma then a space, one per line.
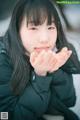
35, 66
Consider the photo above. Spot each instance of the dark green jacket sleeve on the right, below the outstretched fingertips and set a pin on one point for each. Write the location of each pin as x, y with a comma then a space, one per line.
62, 86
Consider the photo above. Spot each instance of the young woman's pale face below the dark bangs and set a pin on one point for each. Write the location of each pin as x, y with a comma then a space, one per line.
40, 37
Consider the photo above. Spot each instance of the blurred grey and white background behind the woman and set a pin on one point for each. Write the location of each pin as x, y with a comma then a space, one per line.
70, 18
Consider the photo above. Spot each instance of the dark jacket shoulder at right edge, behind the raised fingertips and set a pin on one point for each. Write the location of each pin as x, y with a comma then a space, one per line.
72, 66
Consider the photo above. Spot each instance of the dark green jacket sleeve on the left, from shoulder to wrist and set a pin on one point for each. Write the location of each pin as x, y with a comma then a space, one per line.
31, 104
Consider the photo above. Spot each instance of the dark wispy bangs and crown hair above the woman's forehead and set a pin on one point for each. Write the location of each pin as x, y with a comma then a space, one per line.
37, 11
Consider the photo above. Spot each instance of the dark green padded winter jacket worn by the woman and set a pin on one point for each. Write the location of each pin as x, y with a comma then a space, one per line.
52, 94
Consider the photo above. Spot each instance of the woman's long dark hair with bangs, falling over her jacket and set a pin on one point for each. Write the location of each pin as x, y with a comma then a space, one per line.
37, 11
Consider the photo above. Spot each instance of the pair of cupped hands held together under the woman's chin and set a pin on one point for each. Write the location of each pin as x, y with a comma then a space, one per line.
49, 61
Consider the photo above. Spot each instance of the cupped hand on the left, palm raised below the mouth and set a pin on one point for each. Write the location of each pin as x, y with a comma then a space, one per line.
40, 60
